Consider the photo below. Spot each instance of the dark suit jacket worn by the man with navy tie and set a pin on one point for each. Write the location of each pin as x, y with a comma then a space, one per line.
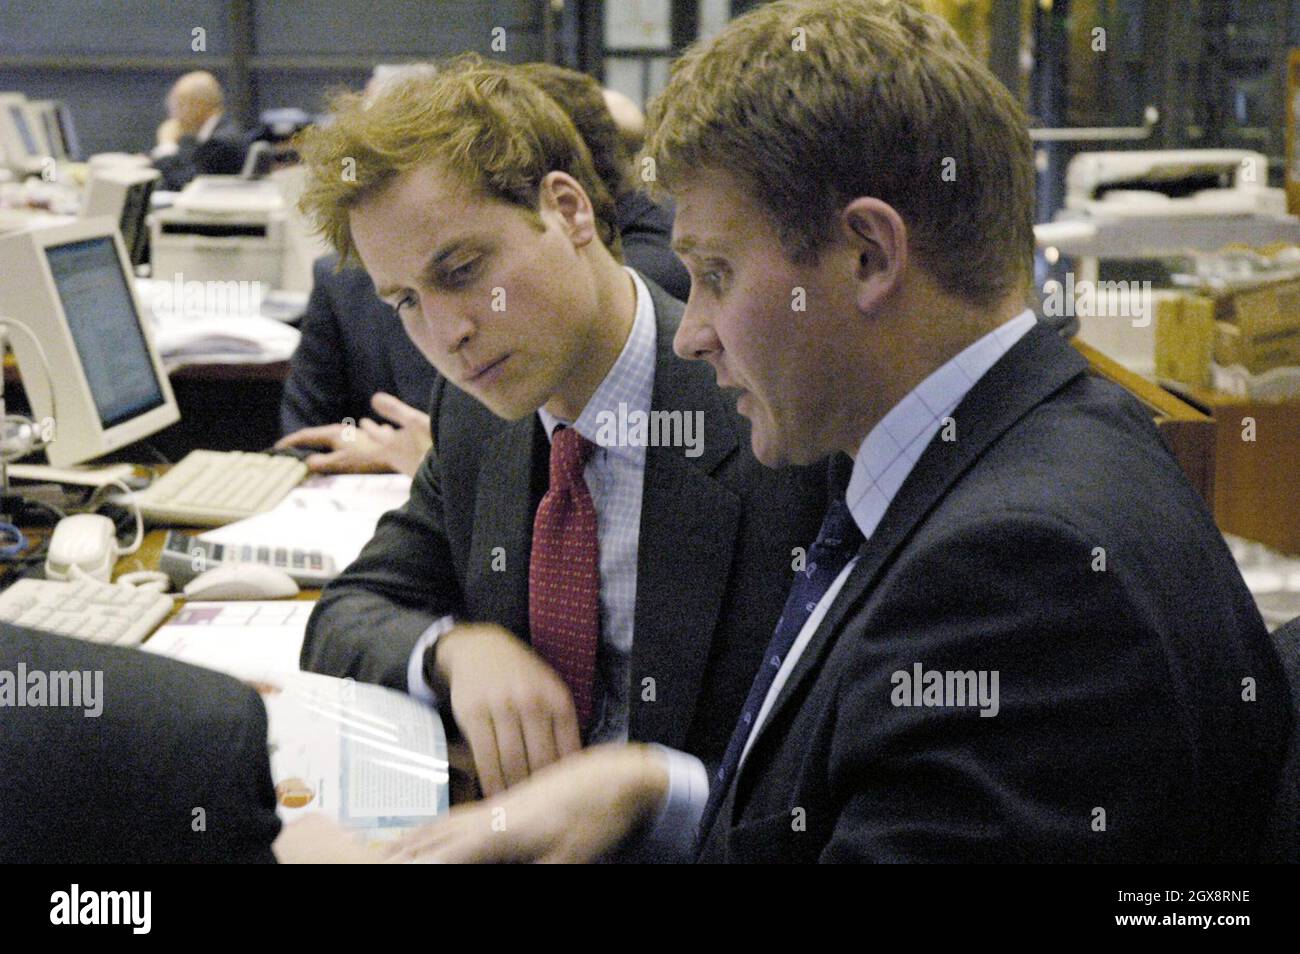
1121, 690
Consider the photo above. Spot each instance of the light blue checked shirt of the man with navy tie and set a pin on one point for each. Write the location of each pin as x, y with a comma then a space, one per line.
882, 465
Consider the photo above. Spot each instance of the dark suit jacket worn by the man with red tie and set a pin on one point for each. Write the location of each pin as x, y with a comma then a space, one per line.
713, 567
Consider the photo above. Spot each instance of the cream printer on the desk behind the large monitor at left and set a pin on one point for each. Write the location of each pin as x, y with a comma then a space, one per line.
222, 228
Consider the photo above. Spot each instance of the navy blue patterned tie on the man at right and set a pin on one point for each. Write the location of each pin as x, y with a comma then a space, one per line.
837, 544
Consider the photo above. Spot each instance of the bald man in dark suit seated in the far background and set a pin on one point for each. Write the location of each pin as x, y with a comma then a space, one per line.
198, 138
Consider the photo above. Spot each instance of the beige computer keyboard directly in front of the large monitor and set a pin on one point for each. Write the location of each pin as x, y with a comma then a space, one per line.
216, 488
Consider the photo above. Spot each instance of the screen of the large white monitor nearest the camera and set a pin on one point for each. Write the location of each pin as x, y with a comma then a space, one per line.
106, 329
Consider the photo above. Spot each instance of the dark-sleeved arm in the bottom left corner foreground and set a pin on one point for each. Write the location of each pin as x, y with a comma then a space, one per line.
124, 787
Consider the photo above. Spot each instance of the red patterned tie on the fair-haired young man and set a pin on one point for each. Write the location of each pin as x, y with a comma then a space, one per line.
565, 573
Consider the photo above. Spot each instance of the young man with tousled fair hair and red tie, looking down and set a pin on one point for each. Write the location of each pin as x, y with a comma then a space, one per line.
644, 615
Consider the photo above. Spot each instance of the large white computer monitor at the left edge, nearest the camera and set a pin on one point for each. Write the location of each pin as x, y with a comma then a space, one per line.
72, 287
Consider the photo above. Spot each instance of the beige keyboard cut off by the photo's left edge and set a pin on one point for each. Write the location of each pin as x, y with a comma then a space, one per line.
85, 610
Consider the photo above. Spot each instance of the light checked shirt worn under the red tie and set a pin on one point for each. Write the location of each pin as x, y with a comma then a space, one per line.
616, 476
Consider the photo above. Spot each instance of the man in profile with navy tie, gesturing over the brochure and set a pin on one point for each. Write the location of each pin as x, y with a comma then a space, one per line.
1020, 635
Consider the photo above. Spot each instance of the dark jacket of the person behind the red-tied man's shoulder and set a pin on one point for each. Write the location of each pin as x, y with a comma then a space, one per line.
353, 346
